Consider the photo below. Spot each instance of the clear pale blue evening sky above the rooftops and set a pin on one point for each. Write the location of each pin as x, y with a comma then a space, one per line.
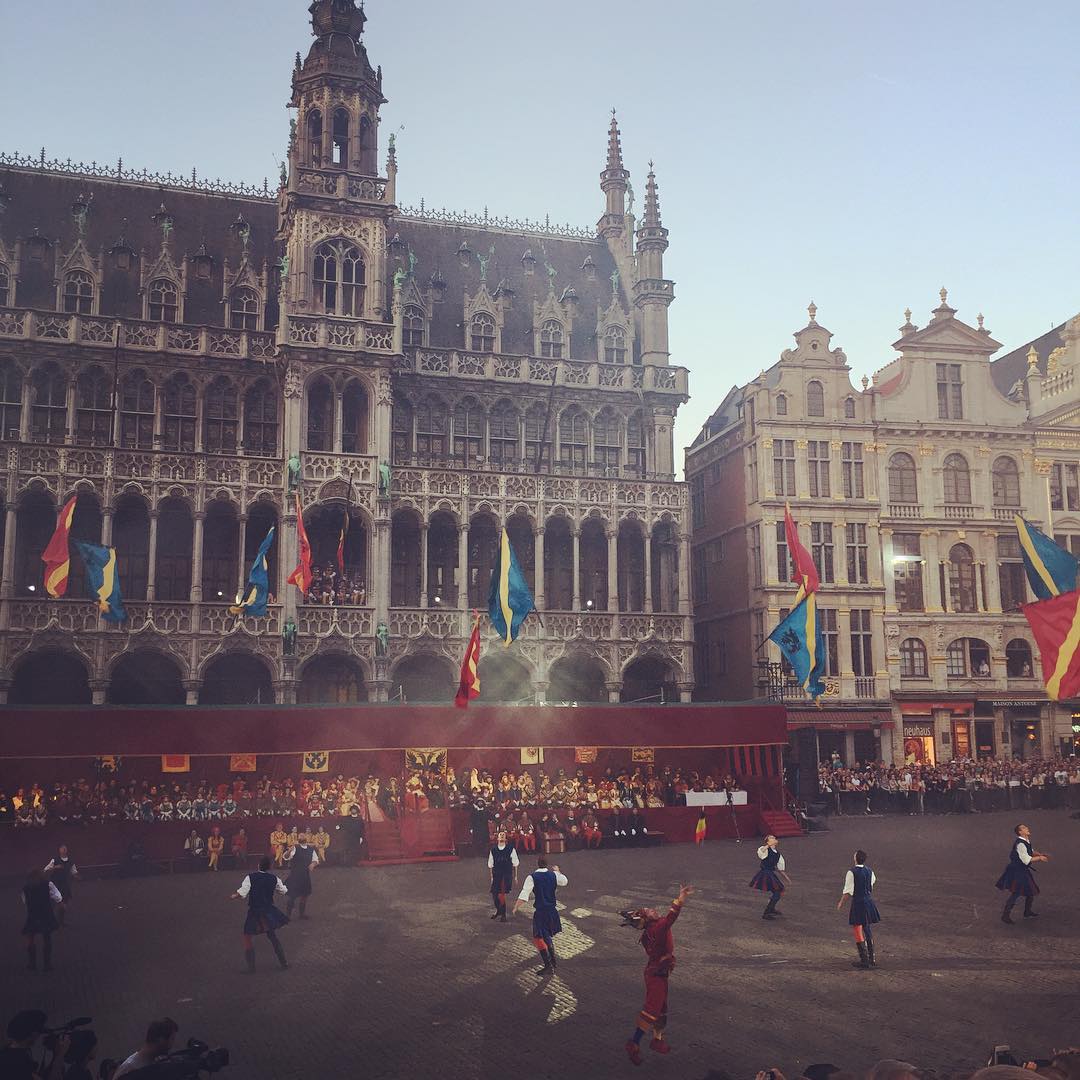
860, 155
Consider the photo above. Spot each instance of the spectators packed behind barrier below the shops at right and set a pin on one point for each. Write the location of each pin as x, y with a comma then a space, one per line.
963, 786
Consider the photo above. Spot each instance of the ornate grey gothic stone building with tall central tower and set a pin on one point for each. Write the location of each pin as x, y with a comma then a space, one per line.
182, 357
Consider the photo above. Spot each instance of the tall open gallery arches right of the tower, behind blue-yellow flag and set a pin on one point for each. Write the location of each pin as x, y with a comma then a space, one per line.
630, 569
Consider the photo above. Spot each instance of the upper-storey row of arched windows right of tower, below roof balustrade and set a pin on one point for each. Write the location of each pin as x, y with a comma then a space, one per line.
429, 430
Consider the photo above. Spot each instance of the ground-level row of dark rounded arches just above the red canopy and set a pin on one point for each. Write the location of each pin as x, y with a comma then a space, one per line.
150, 678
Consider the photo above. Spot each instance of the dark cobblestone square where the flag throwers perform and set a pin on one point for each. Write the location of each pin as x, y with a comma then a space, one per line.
400, 973
